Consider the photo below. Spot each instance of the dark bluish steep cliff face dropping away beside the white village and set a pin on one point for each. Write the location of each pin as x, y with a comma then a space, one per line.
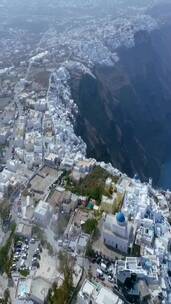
125, 113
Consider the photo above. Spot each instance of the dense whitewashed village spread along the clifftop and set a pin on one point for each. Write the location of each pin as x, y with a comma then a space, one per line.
73, 229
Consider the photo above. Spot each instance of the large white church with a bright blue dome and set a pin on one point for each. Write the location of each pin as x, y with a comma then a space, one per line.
117, 233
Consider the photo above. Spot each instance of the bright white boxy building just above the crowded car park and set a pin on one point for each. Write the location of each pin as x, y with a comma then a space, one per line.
42, 214
